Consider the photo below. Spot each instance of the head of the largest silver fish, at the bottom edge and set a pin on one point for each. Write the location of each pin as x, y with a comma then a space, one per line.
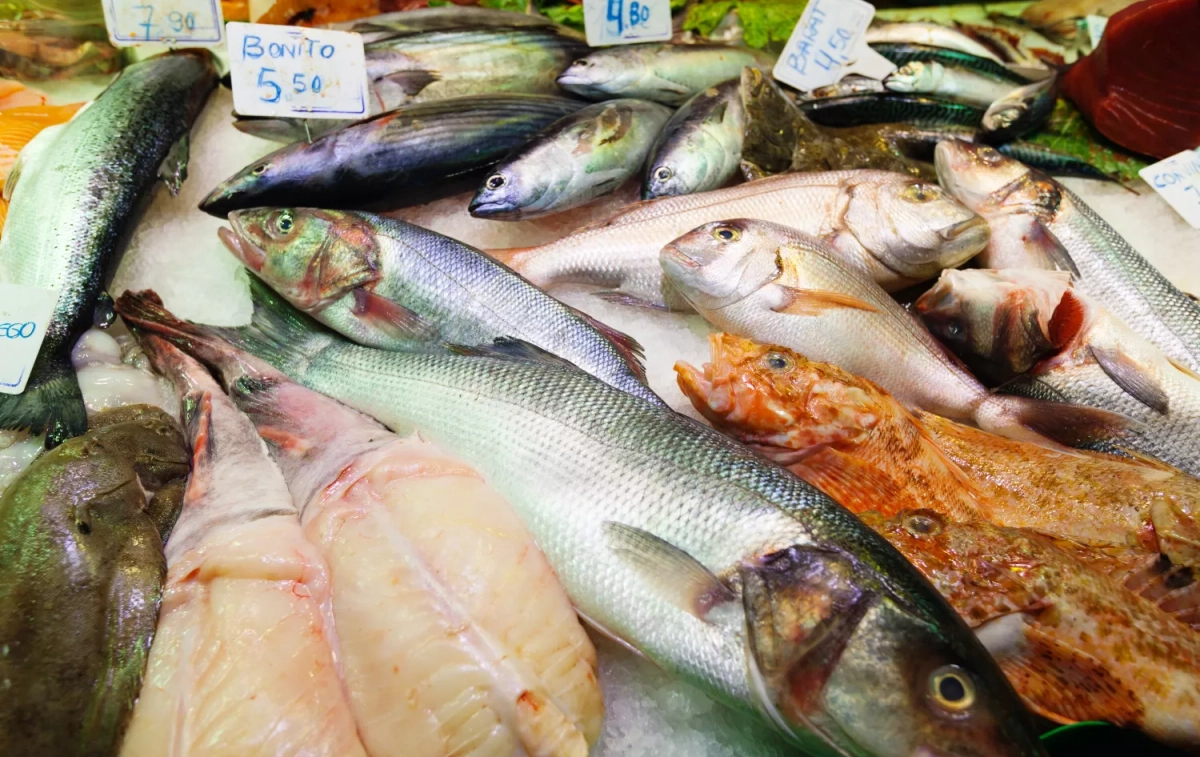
835, 652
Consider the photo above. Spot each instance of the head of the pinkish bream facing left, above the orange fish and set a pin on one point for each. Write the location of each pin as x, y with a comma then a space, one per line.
723, 262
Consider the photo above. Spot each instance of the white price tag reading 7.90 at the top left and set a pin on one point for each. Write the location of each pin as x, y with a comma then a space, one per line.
187, 23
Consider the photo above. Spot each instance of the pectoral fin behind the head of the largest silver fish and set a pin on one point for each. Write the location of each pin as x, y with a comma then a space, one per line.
674, 574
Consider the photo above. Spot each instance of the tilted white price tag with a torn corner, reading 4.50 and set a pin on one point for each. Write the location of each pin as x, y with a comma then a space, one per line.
827, 44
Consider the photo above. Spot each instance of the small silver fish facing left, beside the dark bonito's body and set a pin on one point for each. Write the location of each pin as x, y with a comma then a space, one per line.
573, 161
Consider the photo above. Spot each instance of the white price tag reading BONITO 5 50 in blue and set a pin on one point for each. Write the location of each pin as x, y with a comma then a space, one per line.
314, 74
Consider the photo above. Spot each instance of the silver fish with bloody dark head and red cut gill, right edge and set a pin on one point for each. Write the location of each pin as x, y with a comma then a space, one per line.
1088, 356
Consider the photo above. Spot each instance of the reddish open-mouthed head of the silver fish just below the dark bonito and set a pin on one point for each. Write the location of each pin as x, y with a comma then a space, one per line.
310, 257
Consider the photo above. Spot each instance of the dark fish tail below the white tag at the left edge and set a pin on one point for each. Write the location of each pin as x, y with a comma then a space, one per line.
51, 404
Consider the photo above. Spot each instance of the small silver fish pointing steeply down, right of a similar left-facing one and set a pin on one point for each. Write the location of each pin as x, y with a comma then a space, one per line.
700, 148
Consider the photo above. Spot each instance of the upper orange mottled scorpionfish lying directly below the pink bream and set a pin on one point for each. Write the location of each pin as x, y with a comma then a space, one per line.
854, 441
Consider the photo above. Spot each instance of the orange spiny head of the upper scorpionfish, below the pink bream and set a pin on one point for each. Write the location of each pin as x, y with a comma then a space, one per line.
777, 400
